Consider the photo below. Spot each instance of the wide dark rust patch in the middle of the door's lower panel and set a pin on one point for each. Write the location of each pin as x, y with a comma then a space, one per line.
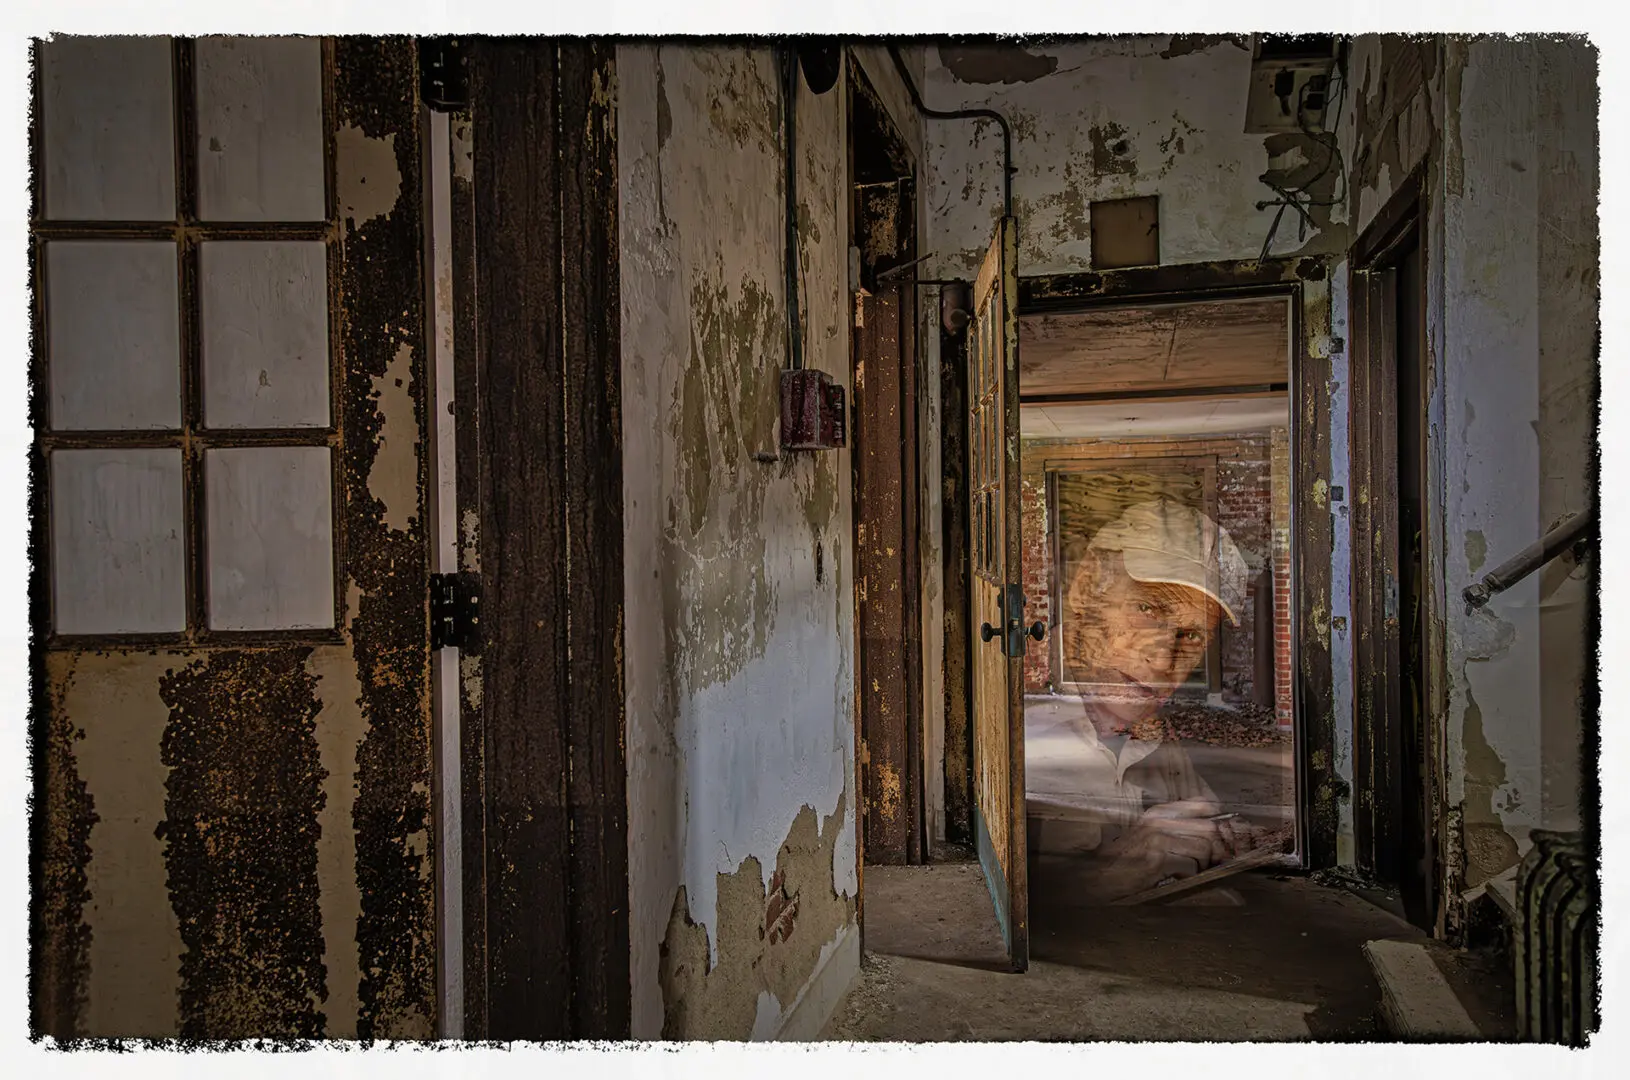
240, 836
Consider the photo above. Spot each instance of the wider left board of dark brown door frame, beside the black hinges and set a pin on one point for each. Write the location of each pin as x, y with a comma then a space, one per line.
518, 200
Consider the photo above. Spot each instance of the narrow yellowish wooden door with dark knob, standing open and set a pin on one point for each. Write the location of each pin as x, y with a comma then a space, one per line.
997, 602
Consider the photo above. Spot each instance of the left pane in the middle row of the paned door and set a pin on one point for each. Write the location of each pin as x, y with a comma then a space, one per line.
113, 328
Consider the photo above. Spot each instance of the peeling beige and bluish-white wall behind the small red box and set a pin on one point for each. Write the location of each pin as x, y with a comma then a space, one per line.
741, 656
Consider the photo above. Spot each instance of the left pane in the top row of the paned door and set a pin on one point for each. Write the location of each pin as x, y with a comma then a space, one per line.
108, 130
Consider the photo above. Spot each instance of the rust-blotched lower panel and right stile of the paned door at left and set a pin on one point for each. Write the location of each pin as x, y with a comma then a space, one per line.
236, 841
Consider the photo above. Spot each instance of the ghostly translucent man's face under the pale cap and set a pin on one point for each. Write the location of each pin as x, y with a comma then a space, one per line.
1145, 639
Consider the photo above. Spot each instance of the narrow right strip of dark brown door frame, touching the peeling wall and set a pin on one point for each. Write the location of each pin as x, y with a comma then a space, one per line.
602, 996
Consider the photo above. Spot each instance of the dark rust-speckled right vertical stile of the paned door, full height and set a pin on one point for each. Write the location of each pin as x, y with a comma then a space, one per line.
381, 278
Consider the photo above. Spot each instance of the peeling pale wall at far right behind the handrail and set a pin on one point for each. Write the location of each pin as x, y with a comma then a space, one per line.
1515, 343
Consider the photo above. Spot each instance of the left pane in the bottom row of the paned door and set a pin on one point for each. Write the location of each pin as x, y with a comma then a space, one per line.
118, 542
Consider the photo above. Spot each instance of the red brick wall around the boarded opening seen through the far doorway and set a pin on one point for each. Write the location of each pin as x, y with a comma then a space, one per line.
1245, 507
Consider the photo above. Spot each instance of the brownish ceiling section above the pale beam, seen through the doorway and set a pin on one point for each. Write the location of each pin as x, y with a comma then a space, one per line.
1225, 343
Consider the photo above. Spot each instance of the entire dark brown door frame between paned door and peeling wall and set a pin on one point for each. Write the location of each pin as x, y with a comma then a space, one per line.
540, 467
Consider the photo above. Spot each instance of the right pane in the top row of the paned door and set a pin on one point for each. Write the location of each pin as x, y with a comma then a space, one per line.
260, 130
